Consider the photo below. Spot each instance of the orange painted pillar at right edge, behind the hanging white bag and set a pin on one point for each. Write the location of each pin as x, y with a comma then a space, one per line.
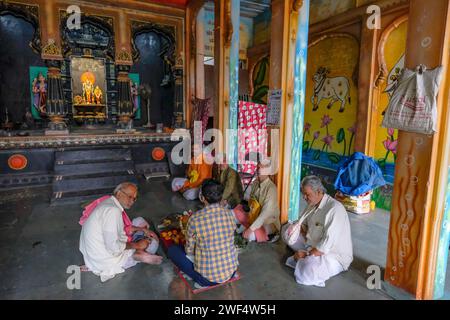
422, 162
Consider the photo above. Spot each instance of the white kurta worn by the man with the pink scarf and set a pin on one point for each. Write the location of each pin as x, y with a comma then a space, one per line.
103, 241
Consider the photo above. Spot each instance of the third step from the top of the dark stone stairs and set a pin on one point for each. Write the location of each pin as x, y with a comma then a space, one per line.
92, 183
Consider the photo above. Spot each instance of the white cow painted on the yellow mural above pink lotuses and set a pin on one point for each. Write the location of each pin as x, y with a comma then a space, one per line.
336, 89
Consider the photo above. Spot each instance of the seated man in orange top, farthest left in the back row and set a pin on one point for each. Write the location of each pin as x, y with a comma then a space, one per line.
198, 171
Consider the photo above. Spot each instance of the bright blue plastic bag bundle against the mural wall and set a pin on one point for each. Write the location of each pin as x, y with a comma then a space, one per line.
358, 175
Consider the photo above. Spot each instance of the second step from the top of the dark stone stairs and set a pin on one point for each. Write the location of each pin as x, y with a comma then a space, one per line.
82, 169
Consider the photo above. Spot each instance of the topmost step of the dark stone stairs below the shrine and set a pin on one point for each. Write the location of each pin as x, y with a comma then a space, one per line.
96, 155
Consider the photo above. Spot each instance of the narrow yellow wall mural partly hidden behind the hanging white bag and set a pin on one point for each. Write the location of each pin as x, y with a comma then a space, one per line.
386, 139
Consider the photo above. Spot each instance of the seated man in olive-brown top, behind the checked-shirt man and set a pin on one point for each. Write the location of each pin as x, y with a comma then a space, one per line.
231, 181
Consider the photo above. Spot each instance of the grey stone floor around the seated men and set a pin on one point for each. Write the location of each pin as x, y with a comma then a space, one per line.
38, 243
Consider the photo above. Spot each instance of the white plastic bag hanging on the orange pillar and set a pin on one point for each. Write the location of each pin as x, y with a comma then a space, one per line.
413, 104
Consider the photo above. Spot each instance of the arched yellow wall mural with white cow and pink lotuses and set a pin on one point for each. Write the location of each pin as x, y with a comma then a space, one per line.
331, 106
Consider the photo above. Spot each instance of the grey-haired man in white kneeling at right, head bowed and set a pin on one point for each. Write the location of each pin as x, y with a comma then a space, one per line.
321, 238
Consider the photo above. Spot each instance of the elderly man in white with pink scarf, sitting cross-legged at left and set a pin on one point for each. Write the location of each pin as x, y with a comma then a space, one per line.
109, 241
